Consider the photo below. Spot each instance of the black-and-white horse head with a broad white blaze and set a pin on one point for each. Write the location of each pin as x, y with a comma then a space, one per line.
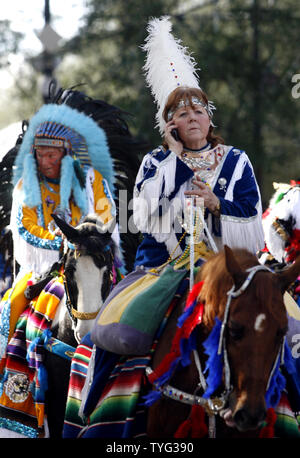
88, 265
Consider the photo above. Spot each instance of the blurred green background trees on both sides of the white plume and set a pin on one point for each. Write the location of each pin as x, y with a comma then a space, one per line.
248, 52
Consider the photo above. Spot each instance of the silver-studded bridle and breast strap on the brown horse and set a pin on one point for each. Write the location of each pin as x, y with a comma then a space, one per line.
214, 405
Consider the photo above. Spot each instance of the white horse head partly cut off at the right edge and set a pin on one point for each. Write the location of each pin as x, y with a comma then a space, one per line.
281, 222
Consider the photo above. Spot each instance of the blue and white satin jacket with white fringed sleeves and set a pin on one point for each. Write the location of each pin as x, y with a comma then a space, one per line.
159, 201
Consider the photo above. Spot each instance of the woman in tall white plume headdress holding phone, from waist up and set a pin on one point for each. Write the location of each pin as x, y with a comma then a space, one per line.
192, 161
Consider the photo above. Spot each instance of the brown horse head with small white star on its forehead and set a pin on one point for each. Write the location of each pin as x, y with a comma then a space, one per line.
254, 325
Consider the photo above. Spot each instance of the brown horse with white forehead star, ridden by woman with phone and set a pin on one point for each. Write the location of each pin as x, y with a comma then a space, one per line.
251, 338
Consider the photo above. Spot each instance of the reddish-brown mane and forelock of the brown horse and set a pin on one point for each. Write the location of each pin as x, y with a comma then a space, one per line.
218, 281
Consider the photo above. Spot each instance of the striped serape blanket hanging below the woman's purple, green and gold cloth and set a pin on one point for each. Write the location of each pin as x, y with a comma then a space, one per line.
114, 405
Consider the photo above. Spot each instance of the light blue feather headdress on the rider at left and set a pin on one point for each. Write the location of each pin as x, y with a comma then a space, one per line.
86, 145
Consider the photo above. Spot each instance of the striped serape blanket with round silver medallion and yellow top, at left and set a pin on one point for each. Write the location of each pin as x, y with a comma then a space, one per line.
23, 377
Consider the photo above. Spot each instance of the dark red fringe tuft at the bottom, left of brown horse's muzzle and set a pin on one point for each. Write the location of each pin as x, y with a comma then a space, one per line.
195, 426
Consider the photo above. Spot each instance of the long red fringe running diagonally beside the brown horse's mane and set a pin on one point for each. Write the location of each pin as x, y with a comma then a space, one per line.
182, 333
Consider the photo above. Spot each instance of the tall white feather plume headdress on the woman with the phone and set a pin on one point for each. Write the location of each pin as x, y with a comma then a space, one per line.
168, 65
